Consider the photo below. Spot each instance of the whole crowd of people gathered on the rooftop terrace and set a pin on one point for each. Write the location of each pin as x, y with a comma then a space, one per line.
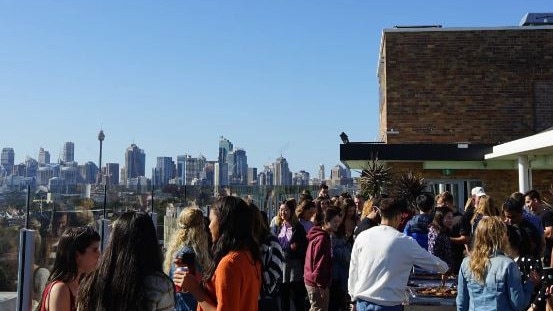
318, 253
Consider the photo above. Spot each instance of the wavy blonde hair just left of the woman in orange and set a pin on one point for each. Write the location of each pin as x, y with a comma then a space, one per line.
191, 232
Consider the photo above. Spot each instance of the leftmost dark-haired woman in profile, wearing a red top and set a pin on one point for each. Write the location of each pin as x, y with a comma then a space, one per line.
76, 255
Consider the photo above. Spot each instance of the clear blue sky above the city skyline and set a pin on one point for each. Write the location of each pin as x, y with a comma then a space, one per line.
273, 76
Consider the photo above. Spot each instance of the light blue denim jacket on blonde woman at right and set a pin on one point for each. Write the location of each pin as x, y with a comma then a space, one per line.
503, 289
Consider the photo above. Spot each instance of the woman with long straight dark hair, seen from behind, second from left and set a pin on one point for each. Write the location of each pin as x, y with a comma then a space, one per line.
130, 274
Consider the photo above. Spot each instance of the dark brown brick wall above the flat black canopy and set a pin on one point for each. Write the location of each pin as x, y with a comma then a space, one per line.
478, 86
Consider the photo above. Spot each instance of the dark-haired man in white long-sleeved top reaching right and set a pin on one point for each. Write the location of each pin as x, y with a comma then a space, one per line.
382, 259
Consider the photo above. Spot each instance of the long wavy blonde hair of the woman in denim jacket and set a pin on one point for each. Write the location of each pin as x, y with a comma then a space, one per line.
490, 237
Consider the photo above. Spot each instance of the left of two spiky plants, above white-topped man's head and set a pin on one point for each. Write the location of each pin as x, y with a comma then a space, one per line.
375, 179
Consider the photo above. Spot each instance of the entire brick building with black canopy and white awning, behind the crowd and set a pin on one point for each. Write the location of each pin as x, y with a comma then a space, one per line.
449, 95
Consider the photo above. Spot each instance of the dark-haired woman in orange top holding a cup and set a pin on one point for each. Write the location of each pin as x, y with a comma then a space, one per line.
233, 280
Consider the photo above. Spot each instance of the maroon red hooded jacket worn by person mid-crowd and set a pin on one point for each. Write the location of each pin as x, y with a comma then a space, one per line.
317, 270
